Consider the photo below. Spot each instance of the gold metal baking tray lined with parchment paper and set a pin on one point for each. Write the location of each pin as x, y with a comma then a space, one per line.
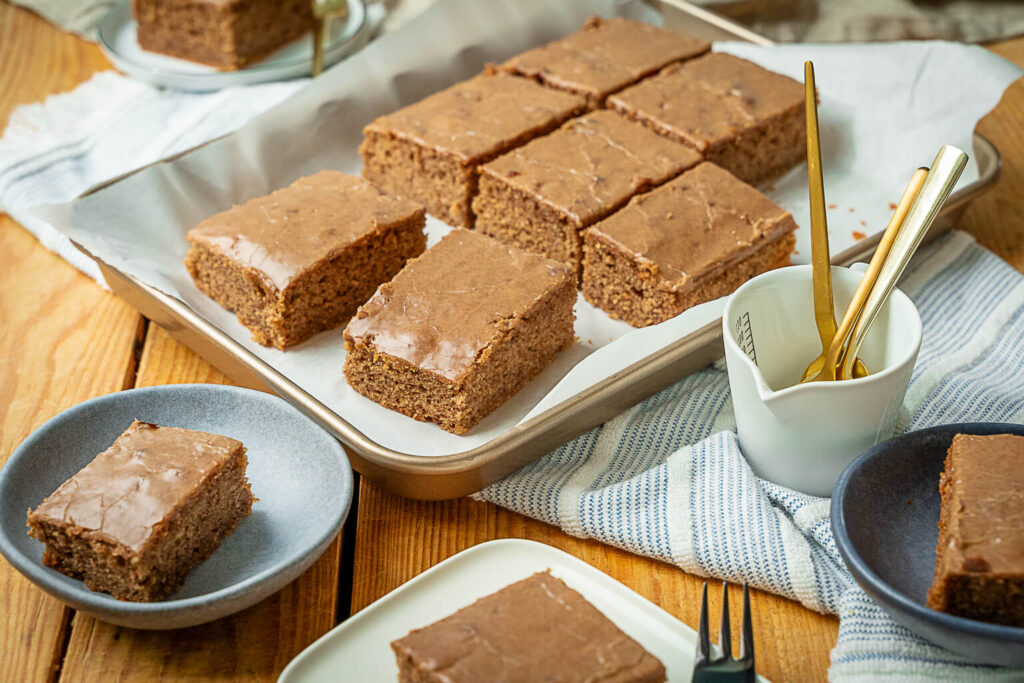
435, 478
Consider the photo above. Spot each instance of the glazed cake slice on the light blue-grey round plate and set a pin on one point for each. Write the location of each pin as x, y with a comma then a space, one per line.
143, 515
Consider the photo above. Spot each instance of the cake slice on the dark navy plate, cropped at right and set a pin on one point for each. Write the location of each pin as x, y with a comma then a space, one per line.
979, 565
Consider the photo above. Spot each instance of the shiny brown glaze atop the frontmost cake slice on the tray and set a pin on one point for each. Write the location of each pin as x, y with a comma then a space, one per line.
447, 307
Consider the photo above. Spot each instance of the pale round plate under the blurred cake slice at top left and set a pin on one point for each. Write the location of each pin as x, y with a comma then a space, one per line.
120, 45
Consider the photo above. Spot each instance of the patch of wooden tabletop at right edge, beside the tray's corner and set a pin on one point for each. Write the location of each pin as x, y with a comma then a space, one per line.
995, 220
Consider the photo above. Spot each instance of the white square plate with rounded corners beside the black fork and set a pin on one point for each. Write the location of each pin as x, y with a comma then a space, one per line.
361, 649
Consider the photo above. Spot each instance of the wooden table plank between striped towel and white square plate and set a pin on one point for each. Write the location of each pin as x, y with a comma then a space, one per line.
399, 539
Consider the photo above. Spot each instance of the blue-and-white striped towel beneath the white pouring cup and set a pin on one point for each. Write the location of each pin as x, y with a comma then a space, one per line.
667, 479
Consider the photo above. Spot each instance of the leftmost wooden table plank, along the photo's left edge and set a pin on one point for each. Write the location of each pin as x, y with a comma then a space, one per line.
63, 339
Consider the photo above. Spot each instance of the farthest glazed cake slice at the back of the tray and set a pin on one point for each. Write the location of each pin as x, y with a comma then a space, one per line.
606, 56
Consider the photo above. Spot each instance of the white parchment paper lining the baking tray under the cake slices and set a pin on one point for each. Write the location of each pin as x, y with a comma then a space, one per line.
885, 111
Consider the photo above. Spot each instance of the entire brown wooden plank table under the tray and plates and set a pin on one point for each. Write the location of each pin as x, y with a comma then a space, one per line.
64, 340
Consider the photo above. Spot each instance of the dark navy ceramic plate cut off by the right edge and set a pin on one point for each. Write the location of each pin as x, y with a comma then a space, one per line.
885, 516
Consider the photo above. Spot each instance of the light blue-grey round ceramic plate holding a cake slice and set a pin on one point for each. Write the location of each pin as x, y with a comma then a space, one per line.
298, 472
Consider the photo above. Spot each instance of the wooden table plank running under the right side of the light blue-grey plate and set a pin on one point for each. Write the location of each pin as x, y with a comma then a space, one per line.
255, 645
